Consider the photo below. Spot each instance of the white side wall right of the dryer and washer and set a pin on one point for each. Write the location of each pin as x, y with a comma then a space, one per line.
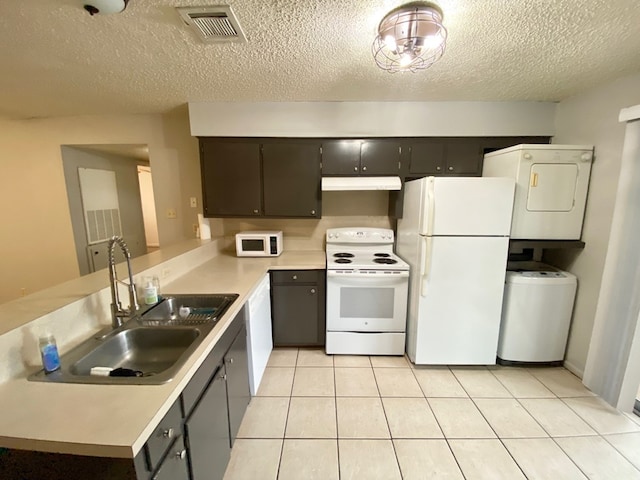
592, 118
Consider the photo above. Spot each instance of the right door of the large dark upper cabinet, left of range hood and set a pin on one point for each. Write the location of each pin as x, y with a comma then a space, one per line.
291, 179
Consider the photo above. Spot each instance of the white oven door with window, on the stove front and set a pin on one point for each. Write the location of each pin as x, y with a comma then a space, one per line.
367, 302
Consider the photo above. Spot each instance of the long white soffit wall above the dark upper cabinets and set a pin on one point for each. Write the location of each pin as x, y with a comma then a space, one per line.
371, 119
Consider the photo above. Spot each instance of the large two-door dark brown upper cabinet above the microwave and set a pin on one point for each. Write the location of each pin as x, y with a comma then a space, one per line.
260, 178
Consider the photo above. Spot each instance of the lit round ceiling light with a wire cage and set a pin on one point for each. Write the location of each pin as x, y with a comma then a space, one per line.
410, 38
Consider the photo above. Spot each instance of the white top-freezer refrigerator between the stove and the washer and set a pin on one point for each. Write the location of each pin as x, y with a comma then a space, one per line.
454, 233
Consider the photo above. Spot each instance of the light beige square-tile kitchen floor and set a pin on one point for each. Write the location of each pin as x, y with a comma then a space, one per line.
358, 417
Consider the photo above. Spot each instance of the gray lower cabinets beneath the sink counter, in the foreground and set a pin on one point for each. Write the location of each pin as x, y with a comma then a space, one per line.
193, 441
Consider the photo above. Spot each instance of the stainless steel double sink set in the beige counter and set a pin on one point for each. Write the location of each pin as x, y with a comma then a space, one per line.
149, 348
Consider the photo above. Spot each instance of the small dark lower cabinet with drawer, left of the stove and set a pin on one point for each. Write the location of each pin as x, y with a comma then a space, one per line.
298, 307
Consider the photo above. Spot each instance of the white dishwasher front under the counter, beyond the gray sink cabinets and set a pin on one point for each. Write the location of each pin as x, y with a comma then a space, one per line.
259, 337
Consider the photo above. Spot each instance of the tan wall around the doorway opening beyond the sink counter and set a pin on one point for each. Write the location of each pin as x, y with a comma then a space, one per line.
36, 239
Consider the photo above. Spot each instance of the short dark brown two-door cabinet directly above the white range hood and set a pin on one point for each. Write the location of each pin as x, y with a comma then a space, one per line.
360, 157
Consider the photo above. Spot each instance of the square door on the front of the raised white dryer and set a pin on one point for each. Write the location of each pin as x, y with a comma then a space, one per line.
552, 187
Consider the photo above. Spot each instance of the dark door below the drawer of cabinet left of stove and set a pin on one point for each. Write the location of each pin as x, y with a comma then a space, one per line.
296, 319
